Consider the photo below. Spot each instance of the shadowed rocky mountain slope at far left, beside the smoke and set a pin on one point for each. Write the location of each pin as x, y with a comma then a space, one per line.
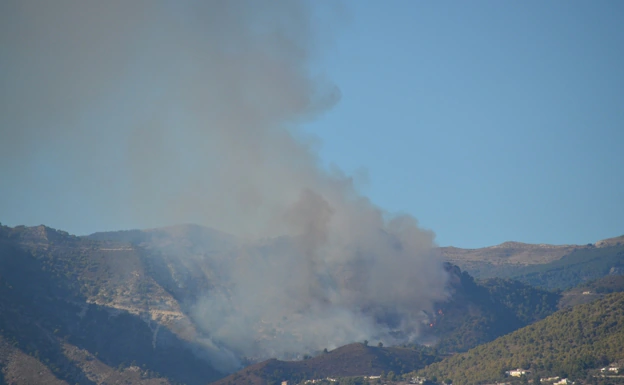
61, 317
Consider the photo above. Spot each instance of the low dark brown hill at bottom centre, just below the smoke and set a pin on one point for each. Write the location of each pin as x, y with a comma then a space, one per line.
350, 360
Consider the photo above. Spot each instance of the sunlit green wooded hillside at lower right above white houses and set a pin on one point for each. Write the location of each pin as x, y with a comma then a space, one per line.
570, 343
